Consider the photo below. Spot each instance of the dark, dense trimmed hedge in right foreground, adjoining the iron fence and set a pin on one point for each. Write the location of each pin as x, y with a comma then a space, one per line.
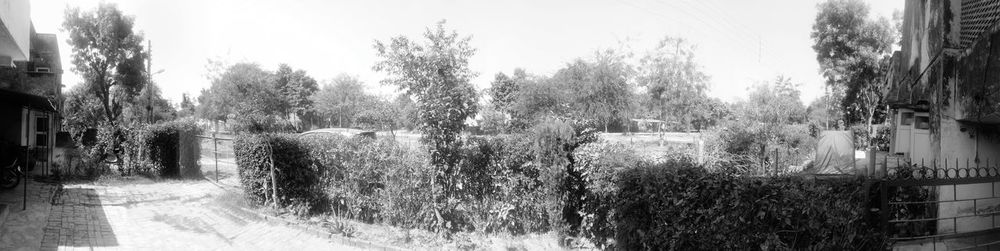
679, 205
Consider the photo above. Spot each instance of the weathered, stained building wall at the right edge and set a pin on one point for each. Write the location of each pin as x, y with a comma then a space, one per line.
939, 73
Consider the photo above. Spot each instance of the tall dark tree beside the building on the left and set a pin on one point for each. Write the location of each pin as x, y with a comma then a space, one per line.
108, 55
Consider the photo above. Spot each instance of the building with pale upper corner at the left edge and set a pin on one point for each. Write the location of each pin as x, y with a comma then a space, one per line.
30, 84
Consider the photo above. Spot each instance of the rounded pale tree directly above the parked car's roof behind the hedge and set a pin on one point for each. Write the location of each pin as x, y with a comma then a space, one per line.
341, 100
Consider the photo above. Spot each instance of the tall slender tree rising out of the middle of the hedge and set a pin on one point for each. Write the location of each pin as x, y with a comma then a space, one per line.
437, 74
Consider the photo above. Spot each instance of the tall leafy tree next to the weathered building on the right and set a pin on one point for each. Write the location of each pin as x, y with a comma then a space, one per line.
851, 48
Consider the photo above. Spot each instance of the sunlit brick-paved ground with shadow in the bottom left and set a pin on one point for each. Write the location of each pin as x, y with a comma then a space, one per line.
167, 215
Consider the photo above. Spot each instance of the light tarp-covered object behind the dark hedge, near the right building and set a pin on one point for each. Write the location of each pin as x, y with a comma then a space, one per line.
834, 153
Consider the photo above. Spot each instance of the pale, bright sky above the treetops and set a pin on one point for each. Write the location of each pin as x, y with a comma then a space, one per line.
738, 43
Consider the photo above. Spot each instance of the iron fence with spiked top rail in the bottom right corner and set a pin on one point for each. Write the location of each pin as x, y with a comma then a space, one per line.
941, 201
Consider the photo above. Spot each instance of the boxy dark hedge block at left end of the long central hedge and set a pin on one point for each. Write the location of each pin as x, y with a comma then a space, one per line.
296, 177
